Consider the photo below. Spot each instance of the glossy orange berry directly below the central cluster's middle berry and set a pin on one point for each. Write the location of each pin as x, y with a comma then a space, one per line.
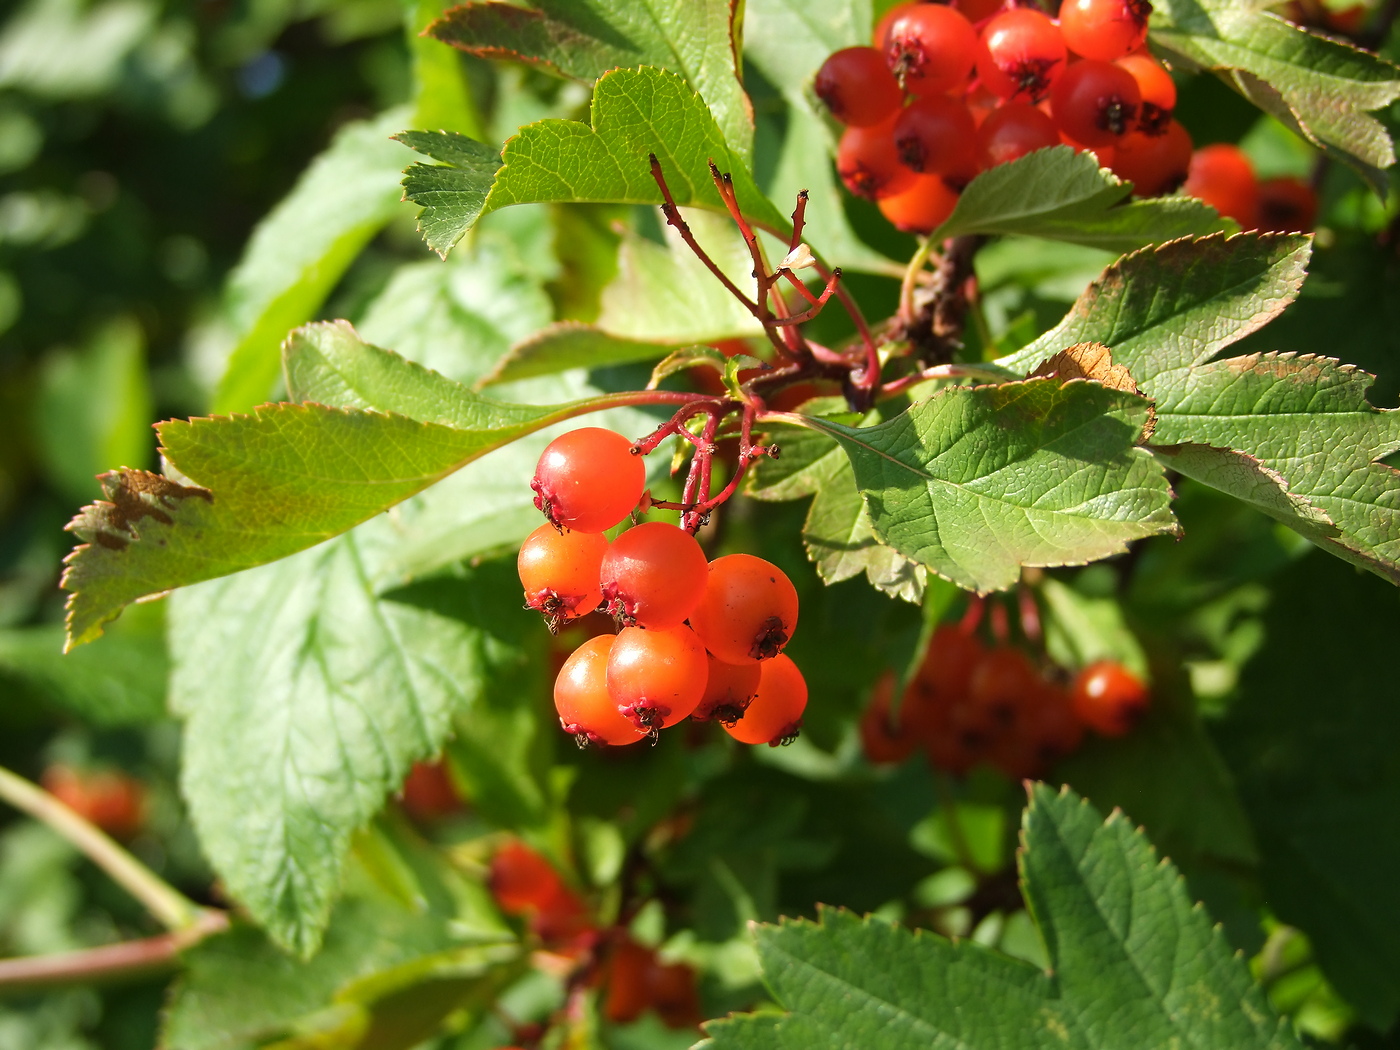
656, 678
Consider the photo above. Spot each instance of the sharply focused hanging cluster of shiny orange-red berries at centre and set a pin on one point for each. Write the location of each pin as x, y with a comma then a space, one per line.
698, 639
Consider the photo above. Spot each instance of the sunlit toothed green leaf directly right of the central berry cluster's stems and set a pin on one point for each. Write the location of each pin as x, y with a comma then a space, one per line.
1049, 470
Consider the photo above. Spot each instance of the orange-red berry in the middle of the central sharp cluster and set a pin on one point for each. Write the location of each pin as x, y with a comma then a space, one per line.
653, 576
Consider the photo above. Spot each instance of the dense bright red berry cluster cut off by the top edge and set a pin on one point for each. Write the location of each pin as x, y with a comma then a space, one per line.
950, 90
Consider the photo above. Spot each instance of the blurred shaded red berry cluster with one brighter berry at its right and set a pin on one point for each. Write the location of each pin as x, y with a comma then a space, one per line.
969, 703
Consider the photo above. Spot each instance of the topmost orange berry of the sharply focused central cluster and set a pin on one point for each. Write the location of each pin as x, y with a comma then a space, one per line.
589, 479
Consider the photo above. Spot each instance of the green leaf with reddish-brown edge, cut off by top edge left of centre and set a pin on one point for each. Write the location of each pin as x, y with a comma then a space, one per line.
587, 38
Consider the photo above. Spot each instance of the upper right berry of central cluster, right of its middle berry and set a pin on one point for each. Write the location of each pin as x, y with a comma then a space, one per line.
748, 611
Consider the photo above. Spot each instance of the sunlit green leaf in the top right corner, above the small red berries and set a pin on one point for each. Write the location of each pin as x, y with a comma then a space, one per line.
1318, 86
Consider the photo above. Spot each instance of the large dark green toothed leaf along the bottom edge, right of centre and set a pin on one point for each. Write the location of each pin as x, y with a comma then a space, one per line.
1132, 964
